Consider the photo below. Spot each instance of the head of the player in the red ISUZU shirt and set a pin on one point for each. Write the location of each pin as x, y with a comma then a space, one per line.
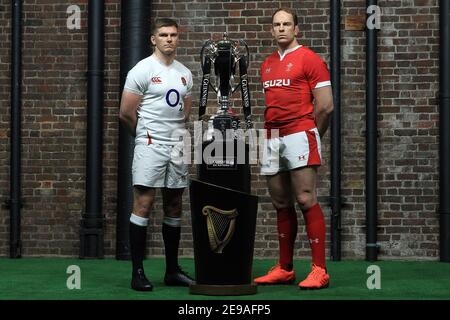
283, 29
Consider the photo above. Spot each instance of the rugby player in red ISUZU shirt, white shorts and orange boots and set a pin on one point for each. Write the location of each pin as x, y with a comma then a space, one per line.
299, 103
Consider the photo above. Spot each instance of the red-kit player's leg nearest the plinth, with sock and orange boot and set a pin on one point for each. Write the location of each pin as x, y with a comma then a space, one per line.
279, 186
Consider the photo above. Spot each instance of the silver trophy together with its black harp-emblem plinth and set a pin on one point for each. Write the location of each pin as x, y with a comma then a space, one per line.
223, 210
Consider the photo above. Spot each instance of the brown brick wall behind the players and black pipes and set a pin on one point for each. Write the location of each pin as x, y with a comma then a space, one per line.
54, 121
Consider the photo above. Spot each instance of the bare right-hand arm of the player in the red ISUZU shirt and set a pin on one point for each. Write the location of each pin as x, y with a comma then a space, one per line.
323, 107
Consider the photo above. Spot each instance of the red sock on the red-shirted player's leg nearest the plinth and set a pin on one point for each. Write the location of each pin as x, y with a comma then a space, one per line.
287, 232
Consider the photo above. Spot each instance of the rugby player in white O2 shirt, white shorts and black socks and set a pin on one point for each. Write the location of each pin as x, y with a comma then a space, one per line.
155, 105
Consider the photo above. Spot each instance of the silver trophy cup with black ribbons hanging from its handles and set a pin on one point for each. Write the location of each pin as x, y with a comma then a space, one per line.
225, 55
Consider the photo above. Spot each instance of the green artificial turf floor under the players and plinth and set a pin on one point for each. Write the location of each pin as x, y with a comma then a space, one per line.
109, 279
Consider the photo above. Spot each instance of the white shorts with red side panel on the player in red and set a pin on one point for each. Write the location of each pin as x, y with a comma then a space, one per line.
293, 151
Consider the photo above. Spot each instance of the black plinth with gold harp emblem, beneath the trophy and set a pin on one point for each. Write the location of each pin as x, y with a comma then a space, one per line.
227, 270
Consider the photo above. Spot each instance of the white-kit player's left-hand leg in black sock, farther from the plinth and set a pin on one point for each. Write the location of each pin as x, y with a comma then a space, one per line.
143, 200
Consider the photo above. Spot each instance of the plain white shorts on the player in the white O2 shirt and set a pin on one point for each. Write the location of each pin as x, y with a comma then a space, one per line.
159, 166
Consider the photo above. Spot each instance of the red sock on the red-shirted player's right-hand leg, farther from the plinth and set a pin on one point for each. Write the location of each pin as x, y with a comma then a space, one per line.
315, 228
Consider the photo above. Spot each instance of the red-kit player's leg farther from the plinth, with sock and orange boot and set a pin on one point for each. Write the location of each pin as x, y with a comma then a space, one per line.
304, 184
